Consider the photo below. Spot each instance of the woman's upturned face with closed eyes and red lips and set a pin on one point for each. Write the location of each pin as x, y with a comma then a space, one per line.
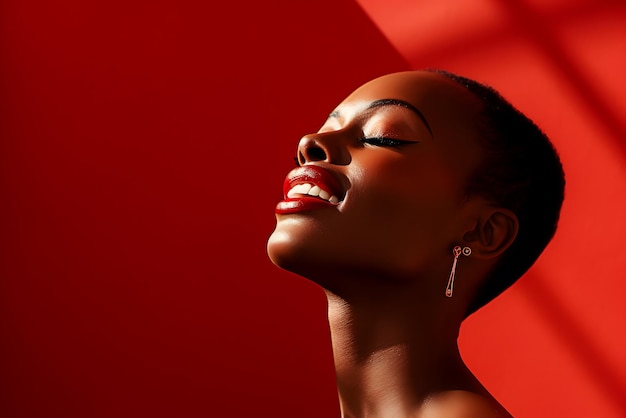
392, 162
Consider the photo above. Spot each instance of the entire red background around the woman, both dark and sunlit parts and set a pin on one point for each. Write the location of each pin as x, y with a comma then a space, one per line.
142, 150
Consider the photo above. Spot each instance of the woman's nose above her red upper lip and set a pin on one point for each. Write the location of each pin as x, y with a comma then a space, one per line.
325, 147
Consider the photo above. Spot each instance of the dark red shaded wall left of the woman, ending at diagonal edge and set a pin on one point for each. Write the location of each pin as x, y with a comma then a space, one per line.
143, 150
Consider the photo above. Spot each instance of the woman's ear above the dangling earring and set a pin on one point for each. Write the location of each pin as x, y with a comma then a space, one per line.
493, 233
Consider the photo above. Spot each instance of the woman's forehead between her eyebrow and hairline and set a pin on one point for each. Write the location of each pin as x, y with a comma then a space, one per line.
447, 106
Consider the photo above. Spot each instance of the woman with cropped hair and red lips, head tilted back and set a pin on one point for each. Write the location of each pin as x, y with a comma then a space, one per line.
421, 198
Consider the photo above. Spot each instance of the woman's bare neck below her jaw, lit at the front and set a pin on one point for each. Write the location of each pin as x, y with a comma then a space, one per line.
392, 354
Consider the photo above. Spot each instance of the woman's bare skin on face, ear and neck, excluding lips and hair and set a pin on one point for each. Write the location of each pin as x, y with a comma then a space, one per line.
384, 252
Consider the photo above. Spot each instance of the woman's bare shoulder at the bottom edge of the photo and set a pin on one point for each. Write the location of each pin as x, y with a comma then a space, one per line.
462, 404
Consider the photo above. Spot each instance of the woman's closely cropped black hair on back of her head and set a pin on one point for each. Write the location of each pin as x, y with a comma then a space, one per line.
521, 172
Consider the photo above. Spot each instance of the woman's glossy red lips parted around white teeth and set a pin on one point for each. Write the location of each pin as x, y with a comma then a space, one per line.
313, 175
